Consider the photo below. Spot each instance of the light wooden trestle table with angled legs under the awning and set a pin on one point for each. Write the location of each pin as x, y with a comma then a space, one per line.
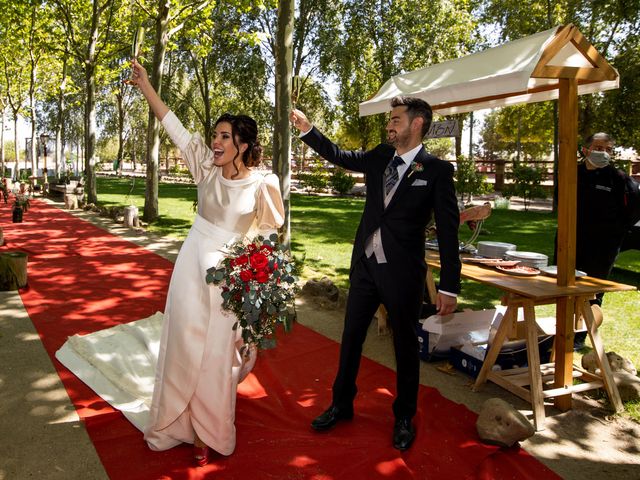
526, 293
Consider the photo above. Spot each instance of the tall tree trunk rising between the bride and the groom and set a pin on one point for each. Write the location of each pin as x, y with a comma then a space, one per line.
281, 130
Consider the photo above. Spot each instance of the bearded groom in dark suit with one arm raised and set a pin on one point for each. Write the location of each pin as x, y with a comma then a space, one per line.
405, 186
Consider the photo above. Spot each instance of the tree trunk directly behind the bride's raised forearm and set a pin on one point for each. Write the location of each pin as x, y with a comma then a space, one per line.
153, 127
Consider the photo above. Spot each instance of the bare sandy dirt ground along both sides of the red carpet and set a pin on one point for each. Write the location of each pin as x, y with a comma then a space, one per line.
42, 437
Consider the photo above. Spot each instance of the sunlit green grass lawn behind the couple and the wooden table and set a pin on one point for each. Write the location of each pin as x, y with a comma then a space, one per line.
323, 228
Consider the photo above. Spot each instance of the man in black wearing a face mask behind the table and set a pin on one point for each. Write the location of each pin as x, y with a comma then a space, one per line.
601, 216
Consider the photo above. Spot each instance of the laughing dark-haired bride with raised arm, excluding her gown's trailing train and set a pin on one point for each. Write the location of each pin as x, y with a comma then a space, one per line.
199, 361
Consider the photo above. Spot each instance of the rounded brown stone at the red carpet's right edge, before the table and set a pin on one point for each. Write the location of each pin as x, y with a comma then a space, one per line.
501, 424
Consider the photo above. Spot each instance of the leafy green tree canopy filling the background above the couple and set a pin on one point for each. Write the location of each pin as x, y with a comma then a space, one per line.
63, 64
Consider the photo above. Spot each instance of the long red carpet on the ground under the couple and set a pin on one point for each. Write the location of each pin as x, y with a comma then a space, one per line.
82, 279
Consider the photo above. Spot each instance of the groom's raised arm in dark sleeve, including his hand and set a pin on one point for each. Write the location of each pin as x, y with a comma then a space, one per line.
351, 160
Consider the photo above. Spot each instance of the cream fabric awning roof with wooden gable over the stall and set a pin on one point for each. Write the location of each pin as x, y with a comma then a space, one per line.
522, 71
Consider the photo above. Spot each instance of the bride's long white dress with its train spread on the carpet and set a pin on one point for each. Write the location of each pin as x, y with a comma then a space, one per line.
196, 362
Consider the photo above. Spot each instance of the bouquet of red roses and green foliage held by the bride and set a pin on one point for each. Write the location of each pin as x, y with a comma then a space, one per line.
258, 285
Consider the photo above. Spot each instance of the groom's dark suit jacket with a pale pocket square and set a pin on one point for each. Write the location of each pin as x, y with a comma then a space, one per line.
402, 223
